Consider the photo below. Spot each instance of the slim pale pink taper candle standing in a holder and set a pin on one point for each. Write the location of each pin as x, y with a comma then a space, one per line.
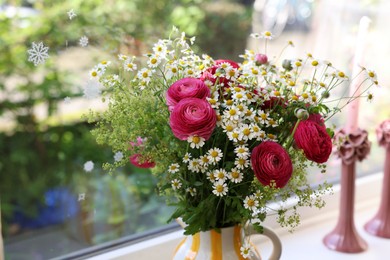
355, 90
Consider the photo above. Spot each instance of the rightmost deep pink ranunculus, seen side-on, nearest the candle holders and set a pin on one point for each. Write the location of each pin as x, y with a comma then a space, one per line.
312, 138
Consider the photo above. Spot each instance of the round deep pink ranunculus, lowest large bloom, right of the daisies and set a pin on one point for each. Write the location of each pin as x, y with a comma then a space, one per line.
271, 163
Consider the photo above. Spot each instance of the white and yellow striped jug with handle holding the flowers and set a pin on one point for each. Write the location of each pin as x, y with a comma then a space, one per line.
224, 245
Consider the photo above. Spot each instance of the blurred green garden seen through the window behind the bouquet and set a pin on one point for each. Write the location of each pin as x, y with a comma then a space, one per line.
43, 141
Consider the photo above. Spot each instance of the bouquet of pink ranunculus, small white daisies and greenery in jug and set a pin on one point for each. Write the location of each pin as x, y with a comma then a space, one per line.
224, 138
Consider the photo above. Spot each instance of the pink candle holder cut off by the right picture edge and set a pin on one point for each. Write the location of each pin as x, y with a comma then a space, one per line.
379, 225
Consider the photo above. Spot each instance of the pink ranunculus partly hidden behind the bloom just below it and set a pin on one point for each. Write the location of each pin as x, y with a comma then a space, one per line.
185, 88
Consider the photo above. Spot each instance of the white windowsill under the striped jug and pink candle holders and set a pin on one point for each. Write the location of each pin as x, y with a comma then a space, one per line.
304, 243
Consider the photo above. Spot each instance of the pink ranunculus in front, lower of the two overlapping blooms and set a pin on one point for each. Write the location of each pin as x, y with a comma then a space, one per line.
192, 116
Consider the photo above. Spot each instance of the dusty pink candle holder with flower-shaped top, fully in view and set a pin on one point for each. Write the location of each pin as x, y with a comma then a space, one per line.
344, 237
